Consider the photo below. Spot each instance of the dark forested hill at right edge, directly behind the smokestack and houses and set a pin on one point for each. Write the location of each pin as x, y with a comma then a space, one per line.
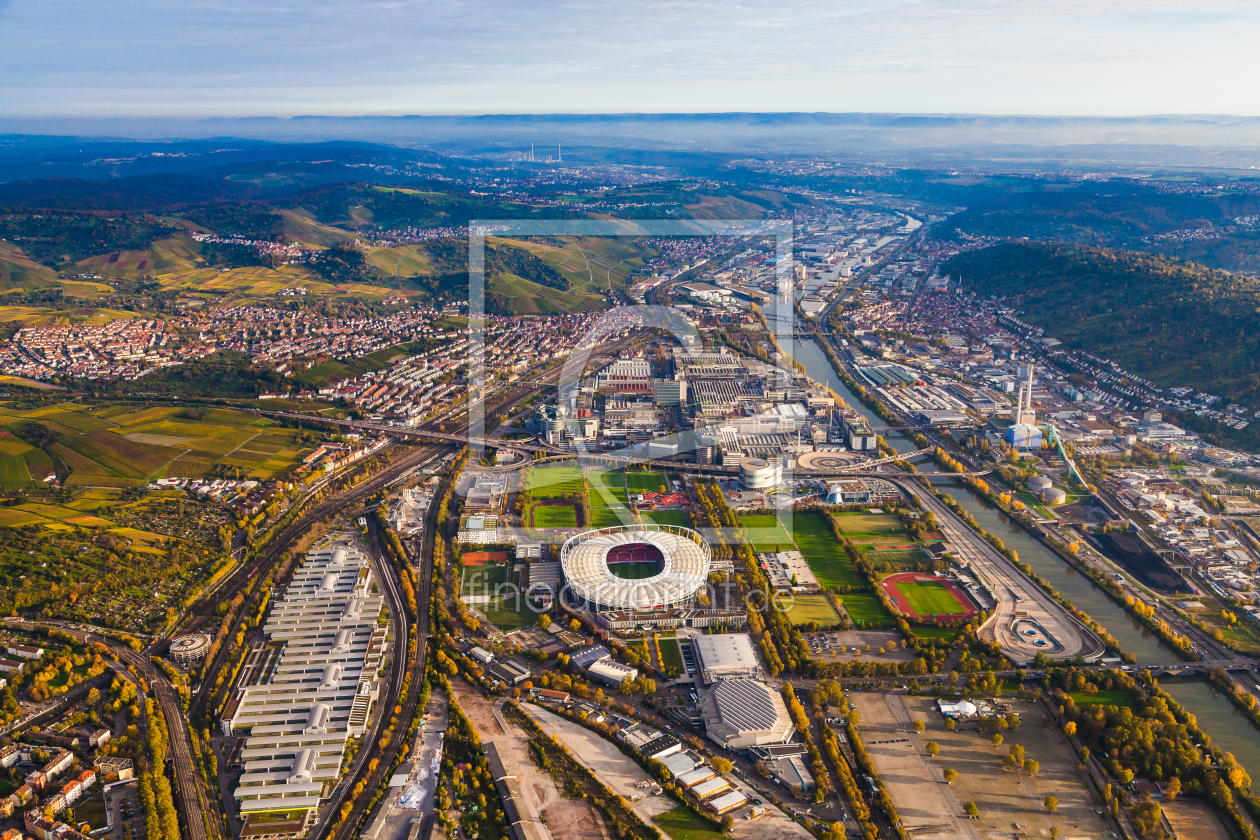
1174, 323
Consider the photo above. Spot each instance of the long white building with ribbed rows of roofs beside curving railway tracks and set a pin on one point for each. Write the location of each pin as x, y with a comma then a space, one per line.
314, 686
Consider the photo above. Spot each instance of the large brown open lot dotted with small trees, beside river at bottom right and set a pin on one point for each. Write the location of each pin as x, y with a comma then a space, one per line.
1006, 799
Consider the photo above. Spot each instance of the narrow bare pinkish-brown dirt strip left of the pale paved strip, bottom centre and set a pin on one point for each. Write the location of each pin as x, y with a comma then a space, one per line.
565, 819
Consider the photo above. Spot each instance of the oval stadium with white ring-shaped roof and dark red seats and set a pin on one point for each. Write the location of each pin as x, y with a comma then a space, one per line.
636, 567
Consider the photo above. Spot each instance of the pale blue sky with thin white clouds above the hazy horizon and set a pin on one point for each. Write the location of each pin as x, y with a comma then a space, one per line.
201, 59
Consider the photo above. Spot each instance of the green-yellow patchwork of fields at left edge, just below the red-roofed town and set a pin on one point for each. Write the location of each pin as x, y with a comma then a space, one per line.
128, 446
